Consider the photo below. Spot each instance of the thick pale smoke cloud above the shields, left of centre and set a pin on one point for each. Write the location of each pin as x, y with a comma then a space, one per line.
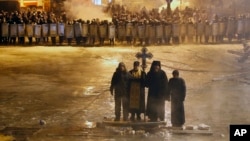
84, 9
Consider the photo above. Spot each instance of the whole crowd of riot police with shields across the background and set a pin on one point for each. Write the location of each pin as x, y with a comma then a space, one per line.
152, 27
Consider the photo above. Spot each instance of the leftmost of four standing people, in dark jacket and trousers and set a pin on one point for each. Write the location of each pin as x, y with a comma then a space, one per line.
119, 84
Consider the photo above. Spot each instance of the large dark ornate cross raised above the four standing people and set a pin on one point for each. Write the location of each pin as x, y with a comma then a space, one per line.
144, 54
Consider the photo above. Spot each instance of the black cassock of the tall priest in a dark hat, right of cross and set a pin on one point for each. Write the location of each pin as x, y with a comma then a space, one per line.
157, 83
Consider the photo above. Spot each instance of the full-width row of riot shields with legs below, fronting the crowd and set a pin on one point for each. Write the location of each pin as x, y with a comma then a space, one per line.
132, 32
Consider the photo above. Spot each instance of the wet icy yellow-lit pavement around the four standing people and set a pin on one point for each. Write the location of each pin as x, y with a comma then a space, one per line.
68, 89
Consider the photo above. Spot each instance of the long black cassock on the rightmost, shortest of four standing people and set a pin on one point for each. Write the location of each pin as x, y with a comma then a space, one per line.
177, 89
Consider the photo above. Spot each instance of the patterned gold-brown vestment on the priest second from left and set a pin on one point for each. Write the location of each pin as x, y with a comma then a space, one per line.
137, 91
